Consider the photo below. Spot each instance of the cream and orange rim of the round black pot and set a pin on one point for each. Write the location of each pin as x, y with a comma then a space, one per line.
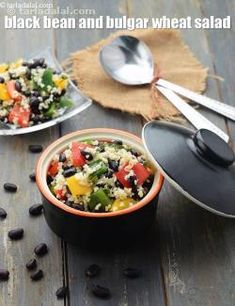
49, 196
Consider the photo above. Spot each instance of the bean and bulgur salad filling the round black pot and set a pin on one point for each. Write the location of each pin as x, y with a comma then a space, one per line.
99, 175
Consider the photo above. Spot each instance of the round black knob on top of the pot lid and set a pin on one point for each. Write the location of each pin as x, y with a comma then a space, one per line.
213, 148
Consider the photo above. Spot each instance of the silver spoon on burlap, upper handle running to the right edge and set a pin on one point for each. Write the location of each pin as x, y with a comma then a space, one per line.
129, 61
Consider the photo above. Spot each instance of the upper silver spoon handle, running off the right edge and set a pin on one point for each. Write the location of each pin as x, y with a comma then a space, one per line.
221, 108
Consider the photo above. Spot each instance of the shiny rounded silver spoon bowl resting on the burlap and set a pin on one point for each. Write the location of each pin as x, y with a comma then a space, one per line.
128, 61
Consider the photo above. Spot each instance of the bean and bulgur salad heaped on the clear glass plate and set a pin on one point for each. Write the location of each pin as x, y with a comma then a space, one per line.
31, 93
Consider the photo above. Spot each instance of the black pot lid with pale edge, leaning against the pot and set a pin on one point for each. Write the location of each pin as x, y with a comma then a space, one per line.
199, 164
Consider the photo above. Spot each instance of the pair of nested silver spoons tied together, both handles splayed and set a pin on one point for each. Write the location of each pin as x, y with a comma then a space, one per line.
129, 61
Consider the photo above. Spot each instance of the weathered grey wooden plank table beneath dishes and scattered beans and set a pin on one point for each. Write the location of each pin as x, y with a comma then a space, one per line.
191, 258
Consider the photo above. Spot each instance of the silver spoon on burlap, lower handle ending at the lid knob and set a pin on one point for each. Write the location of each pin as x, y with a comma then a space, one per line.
130, 62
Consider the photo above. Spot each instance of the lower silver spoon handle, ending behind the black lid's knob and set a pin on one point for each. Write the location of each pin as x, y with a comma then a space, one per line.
199, 121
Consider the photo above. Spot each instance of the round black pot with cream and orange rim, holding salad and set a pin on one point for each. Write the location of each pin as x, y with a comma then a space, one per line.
88, 228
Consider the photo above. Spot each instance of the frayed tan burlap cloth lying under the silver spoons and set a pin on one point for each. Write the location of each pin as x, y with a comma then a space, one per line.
175, 62
